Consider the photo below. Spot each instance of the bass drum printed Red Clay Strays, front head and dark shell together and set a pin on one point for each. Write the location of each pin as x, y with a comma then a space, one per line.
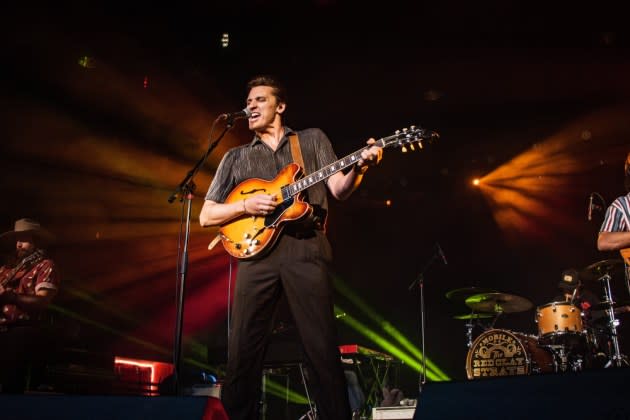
507, 353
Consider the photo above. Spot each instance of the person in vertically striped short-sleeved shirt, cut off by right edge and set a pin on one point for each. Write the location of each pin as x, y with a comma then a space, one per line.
615, 230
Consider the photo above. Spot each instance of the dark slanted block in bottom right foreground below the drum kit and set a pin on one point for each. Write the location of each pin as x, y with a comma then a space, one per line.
596, 394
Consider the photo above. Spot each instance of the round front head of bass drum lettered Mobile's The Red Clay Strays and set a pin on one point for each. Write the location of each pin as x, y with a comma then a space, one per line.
497, 353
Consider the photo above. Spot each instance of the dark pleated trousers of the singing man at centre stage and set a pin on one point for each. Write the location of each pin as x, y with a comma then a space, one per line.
299, 269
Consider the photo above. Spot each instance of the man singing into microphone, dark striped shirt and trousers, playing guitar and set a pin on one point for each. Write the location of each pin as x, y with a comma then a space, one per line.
297, 265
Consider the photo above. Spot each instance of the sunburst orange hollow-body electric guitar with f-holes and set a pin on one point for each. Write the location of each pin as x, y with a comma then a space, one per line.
247, 236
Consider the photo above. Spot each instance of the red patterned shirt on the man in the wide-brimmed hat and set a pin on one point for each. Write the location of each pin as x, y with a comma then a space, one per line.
27, 281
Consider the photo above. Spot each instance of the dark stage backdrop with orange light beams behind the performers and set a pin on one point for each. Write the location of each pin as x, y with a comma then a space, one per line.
106, 107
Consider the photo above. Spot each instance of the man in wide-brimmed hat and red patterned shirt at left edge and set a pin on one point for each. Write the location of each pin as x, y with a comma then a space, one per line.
28, 283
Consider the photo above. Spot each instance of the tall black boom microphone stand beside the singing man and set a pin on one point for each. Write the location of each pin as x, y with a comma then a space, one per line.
185, 192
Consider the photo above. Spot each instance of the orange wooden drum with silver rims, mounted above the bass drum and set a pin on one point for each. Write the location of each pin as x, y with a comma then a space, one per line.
557, 318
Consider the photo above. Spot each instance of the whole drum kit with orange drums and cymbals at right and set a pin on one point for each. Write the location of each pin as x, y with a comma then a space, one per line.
567, 339
